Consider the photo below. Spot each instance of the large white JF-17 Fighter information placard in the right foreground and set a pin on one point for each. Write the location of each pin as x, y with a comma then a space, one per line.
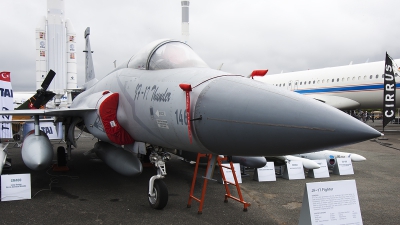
331, 203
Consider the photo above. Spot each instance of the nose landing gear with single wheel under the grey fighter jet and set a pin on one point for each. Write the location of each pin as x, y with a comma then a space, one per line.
158, 191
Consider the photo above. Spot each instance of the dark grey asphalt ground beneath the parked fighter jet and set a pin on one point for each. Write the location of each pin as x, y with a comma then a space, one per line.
92, 193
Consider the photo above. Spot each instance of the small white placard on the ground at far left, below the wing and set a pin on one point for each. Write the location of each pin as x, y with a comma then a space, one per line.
15, 187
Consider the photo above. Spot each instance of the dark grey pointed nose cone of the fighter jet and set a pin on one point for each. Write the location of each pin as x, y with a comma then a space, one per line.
241, 116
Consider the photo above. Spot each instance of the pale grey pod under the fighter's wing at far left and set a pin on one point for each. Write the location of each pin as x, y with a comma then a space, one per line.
37, 151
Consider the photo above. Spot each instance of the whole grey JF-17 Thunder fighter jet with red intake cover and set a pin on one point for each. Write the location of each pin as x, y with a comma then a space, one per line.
165, 98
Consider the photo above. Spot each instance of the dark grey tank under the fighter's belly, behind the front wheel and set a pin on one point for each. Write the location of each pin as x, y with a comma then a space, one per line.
120, 160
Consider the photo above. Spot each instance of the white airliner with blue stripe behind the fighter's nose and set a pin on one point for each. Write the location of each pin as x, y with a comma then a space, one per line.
358, 86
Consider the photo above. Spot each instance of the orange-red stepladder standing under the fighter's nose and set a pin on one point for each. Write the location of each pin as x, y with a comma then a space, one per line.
212, 159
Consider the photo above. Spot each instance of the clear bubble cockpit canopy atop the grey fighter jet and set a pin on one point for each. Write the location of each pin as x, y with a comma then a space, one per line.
165, 54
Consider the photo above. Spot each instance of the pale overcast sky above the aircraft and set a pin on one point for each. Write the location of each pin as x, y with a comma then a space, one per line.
244, 35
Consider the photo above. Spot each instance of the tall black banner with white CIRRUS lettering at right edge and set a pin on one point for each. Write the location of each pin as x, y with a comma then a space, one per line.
389, 92
